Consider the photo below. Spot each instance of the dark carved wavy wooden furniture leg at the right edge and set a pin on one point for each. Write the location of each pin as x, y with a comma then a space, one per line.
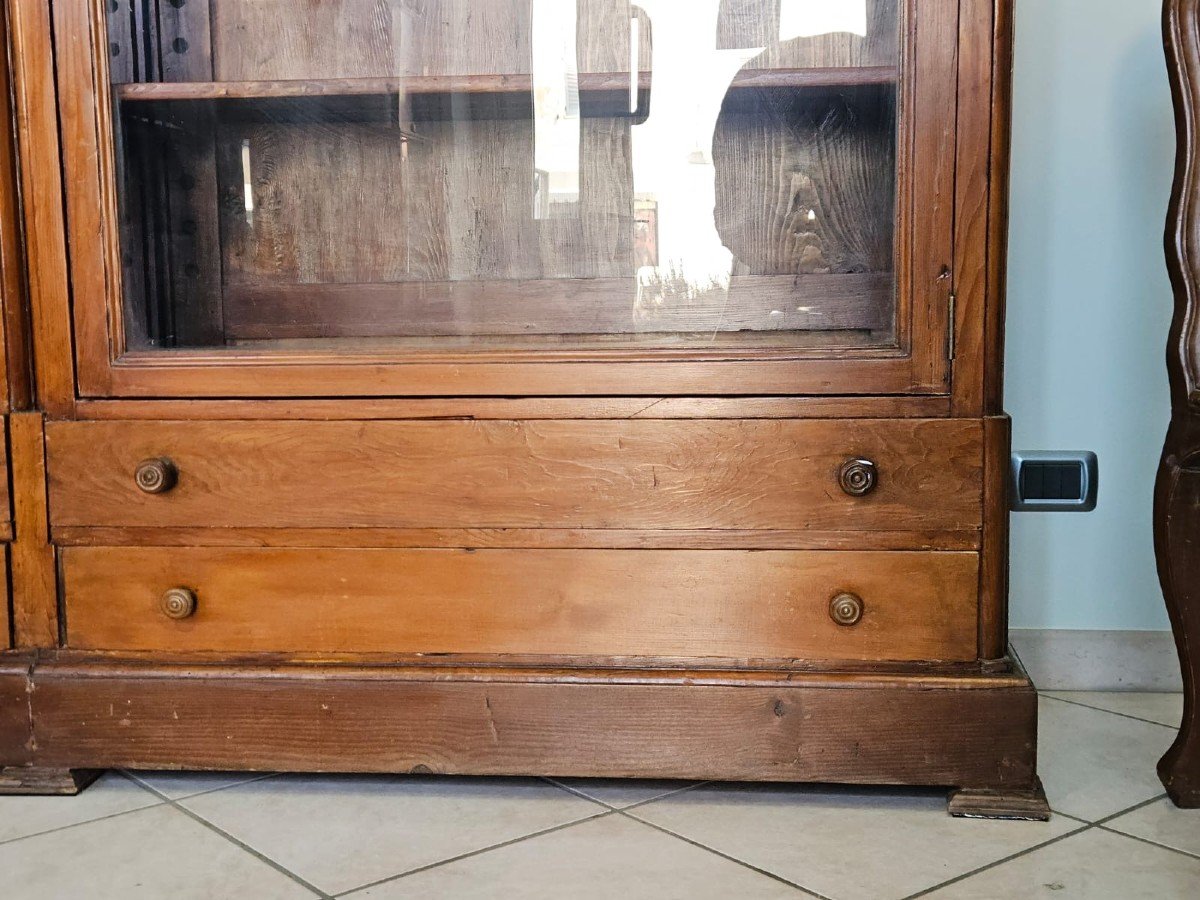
1178, 494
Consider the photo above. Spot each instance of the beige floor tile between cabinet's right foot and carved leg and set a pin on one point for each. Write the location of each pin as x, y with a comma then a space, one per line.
1095, 764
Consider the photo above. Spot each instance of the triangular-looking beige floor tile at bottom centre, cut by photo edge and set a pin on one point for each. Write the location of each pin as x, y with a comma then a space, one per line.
605, 859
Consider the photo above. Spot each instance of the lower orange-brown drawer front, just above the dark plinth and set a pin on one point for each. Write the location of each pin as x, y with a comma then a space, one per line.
560, 603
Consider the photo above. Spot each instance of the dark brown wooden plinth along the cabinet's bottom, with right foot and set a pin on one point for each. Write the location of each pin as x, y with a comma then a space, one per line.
950, 730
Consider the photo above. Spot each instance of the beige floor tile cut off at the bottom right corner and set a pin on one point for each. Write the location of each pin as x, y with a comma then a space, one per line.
1094, 866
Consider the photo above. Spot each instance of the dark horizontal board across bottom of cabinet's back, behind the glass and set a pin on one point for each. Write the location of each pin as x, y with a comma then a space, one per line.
555, 307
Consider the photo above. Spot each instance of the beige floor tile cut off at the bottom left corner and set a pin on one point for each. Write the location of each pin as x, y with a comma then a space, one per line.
153, 854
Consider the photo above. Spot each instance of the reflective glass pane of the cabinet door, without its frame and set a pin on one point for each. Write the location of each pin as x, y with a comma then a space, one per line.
483, 175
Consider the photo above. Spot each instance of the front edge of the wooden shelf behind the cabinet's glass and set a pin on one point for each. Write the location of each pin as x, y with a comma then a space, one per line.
590, 82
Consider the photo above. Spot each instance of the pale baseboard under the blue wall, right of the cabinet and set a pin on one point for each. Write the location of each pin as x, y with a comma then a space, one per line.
1100, 661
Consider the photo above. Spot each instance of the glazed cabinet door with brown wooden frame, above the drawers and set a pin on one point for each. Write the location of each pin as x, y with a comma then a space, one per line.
506, 197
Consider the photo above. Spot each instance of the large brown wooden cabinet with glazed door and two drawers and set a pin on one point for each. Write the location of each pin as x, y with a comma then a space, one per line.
626, 371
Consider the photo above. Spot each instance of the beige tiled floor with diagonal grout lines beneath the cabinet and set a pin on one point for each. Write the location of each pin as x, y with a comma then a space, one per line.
182, 836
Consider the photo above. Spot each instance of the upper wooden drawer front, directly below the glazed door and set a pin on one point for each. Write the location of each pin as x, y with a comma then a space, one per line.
692, 475
